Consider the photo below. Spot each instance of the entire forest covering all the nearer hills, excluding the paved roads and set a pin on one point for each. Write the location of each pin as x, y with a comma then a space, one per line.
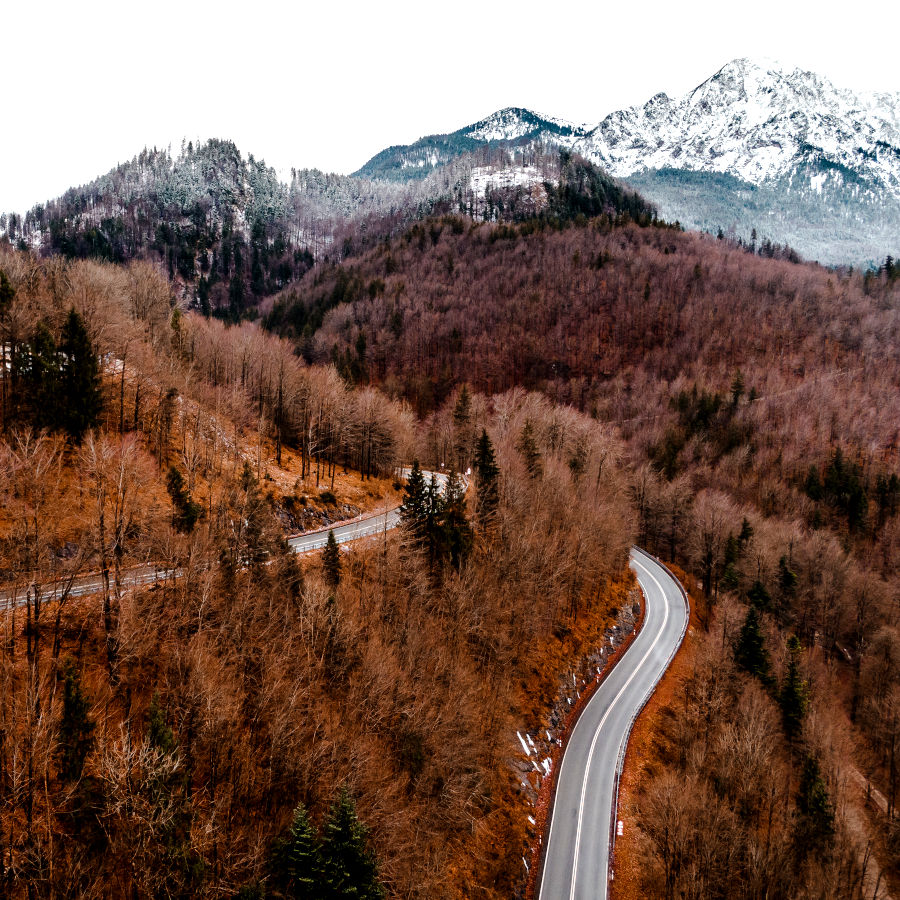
606, 377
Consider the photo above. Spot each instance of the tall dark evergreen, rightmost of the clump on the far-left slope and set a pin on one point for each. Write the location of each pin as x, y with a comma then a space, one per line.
80, 397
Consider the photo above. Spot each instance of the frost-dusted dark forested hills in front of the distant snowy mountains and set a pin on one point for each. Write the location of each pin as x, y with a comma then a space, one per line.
229, 233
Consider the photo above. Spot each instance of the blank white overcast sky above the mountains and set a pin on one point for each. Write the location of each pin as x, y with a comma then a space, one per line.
88, 84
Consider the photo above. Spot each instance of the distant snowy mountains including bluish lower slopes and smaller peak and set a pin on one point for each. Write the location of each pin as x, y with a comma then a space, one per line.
756, 147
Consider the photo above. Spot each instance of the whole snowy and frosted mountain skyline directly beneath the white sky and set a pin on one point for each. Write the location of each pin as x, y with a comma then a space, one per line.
756, 151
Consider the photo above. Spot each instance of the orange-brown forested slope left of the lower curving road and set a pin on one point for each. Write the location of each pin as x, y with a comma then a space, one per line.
253, 719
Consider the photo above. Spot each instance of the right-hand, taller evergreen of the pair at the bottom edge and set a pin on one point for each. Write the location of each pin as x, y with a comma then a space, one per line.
349, 868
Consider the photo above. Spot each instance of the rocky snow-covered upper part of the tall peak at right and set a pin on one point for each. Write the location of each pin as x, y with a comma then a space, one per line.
756, 121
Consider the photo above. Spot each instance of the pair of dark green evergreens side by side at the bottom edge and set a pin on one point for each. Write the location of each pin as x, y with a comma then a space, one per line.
334, 865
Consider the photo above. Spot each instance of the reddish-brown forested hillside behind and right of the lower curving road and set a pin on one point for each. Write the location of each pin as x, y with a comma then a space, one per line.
758, 400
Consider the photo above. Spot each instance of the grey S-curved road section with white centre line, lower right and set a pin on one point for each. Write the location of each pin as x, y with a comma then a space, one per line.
581, 832
